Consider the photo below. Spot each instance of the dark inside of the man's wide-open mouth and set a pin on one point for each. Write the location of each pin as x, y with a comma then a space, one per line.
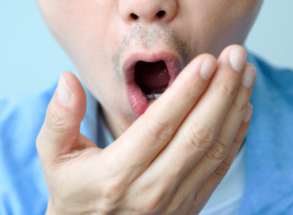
151, 77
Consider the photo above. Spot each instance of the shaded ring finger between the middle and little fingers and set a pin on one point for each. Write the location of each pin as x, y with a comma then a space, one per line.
220, 148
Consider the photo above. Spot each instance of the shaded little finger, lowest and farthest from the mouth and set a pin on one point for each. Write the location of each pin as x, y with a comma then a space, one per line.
208, 187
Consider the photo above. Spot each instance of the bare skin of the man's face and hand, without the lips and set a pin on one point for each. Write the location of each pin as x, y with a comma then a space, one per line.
137, 173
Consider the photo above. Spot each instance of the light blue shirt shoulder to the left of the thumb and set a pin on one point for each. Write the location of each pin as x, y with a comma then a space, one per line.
21, 118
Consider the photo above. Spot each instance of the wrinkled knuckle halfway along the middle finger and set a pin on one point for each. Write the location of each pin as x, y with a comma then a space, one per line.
198, 136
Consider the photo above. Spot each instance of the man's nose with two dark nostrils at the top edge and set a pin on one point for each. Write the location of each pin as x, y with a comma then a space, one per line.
147, 11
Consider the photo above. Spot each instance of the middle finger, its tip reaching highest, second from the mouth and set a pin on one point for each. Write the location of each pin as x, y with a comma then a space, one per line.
198, 131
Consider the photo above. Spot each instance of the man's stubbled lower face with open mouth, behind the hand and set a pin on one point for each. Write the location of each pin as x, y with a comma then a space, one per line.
128, 50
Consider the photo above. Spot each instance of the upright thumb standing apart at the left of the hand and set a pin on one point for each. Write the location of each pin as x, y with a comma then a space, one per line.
60, 132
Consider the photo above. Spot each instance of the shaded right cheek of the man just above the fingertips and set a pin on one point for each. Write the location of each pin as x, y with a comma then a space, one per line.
217, 24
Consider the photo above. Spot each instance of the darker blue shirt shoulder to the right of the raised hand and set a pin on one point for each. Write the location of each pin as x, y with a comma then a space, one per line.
268, 151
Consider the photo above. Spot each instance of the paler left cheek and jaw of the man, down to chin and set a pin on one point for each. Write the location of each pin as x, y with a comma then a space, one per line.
87, 32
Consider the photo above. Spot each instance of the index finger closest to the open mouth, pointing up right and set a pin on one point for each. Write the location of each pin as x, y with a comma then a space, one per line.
152, 131
